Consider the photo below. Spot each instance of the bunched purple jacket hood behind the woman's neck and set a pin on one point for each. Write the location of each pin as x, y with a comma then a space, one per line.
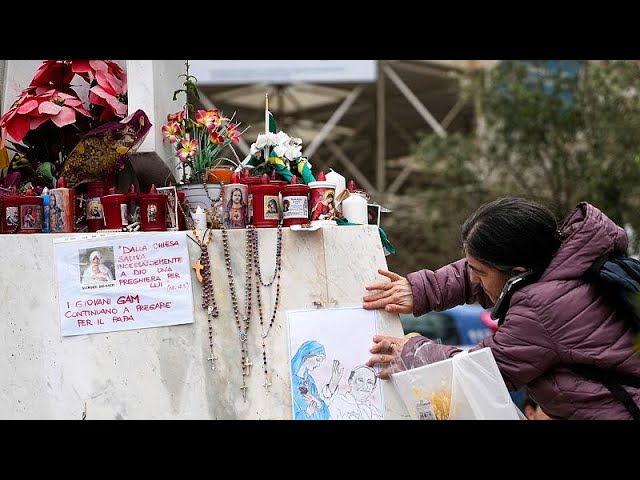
588, 234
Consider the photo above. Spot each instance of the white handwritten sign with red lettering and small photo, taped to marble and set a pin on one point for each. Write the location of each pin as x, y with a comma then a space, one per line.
123, 282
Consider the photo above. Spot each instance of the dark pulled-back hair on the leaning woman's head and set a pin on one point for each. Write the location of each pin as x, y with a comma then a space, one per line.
511, 232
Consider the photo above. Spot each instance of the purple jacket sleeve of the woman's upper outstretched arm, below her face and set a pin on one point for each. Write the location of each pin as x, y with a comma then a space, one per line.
445, 288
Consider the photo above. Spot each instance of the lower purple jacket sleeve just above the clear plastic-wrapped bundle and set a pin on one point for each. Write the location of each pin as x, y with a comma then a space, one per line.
522, 347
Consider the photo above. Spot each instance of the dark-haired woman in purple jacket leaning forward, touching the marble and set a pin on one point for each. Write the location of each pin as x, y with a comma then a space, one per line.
553, 320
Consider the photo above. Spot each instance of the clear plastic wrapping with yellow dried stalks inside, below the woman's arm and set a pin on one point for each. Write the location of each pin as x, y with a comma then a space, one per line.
469, 383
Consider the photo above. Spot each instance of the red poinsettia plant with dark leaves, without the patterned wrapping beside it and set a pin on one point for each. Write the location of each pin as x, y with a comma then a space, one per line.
49, 118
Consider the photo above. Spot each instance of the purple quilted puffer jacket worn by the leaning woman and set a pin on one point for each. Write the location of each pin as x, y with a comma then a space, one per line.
551, 323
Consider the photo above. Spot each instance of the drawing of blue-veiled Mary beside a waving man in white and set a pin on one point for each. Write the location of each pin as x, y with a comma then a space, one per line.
329, 377
